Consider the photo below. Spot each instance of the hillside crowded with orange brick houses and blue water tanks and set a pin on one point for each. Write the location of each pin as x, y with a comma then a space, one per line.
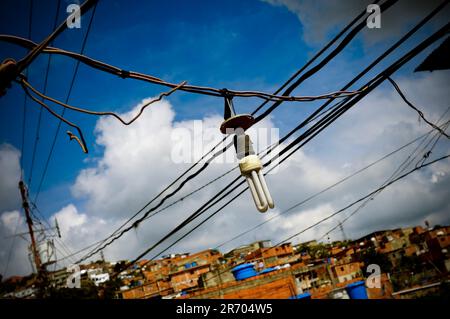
398, 263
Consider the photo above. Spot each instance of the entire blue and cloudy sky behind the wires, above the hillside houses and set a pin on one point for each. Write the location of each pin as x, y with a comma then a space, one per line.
251, 45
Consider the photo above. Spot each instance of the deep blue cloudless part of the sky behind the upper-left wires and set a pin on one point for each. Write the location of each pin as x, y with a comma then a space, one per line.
234, 45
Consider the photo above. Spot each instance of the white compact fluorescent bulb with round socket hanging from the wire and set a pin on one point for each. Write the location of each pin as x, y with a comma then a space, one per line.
249, 163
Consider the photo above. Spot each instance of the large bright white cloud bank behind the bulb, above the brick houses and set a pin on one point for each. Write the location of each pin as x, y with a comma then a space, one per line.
136, 165
